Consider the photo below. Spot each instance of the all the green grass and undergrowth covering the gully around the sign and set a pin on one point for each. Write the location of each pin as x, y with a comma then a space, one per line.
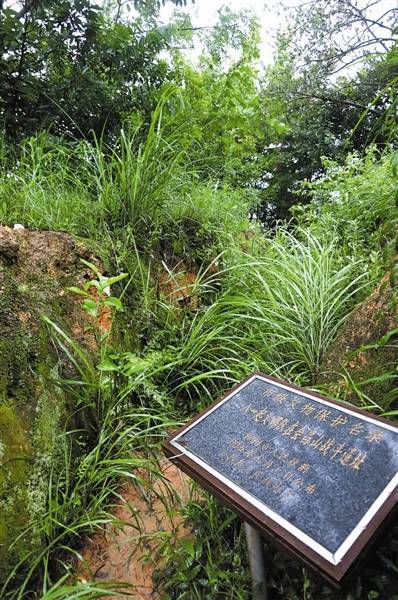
210, 298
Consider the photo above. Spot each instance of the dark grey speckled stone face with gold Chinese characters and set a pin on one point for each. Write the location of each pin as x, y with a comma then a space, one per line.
317, 466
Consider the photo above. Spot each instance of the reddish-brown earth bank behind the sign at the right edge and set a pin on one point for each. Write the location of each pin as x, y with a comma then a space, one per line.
356, 356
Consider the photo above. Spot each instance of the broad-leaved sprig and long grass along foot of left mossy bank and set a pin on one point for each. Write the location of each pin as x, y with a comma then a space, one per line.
115, 445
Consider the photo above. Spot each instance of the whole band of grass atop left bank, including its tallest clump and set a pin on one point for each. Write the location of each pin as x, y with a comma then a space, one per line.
142, 190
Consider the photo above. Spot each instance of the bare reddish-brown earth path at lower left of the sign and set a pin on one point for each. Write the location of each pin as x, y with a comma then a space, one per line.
131, 553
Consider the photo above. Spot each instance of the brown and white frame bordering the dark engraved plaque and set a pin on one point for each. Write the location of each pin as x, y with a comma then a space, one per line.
333, 567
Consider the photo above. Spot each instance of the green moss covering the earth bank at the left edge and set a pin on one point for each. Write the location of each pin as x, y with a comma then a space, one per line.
32, 409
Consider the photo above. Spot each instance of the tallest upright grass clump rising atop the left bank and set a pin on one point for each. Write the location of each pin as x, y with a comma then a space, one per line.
137, 177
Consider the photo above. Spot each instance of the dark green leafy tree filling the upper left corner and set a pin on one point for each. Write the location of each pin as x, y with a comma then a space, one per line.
72, 66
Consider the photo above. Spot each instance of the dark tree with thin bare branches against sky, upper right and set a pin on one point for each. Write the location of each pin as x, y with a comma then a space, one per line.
324, 114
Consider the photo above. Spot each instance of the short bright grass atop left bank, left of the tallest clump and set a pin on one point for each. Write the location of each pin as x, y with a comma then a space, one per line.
46, 186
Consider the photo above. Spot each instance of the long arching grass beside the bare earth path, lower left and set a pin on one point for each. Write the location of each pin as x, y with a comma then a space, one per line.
81, 495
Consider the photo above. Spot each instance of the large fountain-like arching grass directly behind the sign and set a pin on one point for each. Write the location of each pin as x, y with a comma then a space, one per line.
278, 313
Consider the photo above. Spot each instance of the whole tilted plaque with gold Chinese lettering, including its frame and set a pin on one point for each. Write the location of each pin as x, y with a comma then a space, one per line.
317, 475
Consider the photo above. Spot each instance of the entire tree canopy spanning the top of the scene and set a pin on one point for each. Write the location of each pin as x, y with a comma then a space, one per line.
78, 69
